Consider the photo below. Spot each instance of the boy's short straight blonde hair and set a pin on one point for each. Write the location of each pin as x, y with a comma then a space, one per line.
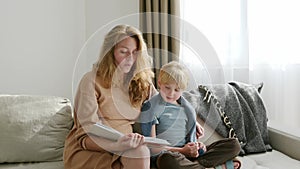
174, 72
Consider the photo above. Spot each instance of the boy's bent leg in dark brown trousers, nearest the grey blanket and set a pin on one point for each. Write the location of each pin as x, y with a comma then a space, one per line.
219, 152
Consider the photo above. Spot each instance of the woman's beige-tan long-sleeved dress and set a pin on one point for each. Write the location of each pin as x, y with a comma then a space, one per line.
92, 104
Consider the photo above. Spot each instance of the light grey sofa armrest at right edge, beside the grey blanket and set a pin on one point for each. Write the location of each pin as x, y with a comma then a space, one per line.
285, 142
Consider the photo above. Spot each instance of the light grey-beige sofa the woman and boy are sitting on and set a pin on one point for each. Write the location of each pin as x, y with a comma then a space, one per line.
33, 129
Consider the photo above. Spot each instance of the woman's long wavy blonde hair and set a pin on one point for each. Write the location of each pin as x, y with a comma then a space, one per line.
139, 79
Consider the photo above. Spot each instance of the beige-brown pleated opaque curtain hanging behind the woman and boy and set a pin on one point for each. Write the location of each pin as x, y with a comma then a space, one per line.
160, 25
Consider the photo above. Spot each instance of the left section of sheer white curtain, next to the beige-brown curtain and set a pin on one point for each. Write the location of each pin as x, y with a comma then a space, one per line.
223, 28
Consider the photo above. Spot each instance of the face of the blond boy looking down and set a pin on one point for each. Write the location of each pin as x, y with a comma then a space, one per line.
170, 92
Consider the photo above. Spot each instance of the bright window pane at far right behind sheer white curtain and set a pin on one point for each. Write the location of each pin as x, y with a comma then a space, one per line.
274, 31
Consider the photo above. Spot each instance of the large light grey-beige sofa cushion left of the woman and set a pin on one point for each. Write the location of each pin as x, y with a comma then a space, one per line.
33, 128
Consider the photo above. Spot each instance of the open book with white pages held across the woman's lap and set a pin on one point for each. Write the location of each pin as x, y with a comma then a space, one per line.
112, 134
